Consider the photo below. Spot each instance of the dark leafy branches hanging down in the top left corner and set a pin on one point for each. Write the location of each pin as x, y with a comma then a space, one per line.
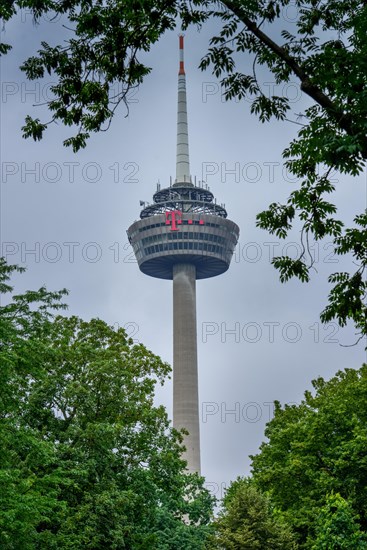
98, 65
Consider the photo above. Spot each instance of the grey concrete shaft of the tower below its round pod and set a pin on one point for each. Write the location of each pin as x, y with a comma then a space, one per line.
185, 367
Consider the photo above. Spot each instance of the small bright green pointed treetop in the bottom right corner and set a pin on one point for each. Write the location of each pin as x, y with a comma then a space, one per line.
337, 528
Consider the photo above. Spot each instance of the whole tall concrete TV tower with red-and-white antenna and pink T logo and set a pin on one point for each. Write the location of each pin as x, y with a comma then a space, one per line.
184, 235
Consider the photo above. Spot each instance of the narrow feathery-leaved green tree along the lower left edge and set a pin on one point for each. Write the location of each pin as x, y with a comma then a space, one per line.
27, 489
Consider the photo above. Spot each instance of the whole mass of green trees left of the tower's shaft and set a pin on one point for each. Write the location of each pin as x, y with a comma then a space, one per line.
87, 460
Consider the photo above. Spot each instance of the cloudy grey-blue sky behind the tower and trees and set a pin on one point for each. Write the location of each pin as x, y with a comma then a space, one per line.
259, 340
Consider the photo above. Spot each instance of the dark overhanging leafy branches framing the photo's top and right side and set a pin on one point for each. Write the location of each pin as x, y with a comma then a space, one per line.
325, 50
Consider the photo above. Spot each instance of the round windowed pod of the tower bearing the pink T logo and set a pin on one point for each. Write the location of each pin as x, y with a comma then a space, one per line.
183, 225
